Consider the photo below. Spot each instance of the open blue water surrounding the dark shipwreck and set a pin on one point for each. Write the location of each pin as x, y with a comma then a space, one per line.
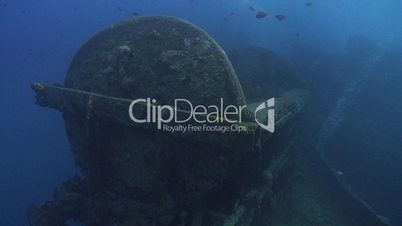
349, 51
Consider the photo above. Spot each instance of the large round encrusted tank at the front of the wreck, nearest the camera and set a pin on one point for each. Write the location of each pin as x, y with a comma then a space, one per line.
135, 176
